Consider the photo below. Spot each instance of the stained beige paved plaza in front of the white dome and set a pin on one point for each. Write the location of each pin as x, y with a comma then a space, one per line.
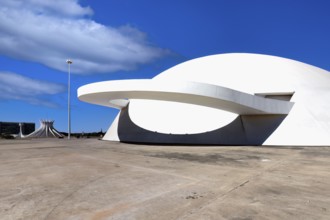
92, 179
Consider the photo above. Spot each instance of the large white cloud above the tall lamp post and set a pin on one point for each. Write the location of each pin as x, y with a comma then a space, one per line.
49, 32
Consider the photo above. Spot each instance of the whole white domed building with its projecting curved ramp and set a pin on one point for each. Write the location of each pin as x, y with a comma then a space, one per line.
226, 99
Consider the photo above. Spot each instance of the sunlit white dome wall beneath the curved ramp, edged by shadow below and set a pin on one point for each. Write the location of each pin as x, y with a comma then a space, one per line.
177, 118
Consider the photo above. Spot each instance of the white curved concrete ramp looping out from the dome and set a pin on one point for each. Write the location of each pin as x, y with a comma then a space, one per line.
117, 94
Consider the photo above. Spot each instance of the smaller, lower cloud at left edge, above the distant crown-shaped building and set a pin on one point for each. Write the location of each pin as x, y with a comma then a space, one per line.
17, 87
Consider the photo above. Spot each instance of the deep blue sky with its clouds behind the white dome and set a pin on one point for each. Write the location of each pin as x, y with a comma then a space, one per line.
122, 39
